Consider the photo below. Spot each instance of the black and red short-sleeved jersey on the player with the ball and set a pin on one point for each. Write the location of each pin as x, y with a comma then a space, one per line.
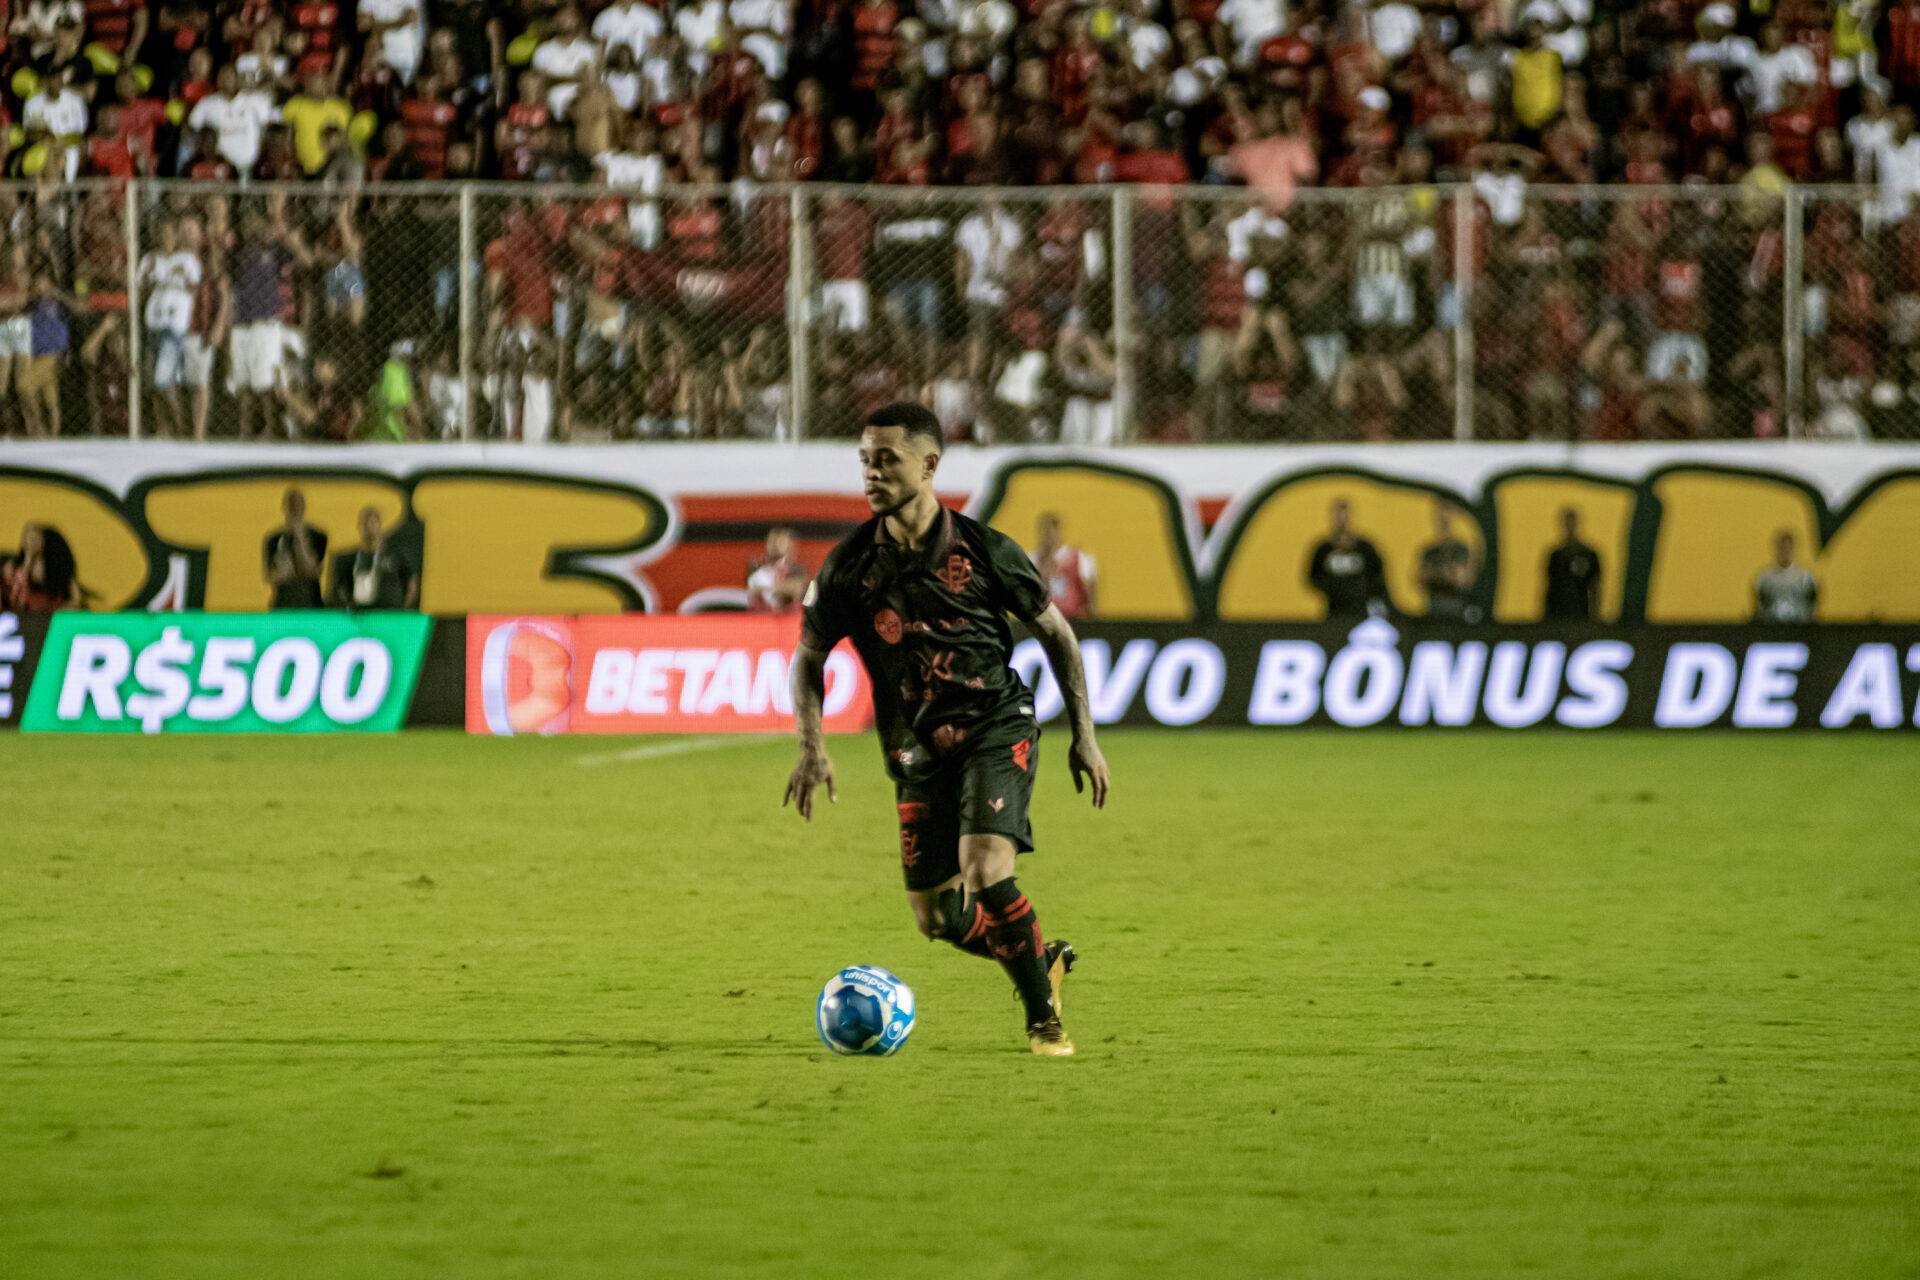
930, 627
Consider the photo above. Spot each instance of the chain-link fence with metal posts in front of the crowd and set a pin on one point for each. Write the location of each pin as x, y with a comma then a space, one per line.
1063, 316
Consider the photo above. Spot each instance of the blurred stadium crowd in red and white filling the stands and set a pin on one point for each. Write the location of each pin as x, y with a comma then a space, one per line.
640, 308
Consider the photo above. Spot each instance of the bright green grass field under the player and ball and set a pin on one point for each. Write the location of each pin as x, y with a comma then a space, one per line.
1349, 1007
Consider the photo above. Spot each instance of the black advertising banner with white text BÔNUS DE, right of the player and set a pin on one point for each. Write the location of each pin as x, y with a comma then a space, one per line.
1516, 678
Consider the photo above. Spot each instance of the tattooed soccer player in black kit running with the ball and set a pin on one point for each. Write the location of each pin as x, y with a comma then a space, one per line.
924, 596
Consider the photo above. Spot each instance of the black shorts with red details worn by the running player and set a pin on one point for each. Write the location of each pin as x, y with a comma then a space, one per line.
982, 794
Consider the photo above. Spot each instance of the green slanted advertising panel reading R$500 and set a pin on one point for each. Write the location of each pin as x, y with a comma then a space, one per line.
289, 673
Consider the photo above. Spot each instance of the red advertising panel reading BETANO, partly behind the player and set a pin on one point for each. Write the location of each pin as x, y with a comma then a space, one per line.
648, 675
